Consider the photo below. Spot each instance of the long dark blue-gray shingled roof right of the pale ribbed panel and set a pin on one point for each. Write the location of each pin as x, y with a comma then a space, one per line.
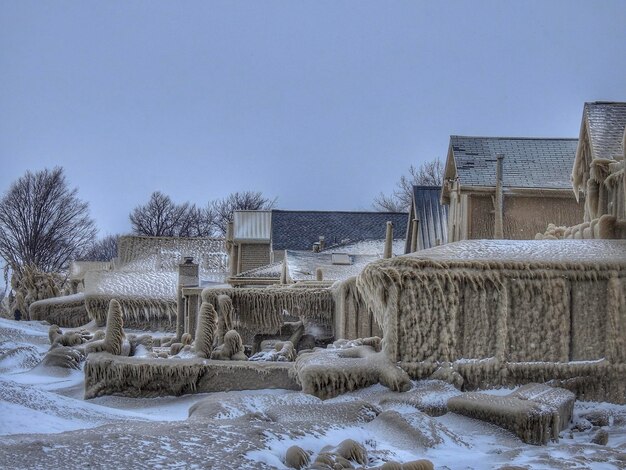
298, 230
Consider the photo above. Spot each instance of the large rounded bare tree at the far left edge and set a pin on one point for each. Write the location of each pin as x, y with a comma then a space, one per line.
43, 224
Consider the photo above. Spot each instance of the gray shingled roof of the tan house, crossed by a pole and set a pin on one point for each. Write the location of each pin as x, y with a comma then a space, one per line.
528, 162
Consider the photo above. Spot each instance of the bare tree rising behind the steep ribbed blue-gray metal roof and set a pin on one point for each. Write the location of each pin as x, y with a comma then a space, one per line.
427, 174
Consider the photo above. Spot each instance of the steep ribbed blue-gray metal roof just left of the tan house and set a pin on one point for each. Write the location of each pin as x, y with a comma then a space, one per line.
433, 217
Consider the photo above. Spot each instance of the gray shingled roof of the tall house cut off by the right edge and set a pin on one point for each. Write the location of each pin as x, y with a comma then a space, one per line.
605, 123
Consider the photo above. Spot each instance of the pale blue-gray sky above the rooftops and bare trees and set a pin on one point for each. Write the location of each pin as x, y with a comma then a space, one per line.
322, 104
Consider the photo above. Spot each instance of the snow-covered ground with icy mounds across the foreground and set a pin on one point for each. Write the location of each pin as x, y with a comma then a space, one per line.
45, 423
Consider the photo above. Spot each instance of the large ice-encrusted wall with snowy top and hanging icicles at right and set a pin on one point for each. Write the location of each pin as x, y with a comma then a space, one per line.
516, 301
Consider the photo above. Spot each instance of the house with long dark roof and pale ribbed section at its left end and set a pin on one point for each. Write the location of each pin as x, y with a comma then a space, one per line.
259, 238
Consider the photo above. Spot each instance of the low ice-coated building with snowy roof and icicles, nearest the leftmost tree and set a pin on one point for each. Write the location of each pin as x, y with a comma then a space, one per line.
143, 278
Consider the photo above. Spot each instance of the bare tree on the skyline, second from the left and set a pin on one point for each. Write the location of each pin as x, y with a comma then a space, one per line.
161, 217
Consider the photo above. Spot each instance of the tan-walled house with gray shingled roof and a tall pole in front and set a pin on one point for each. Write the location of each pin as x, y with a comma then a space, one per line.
534, 188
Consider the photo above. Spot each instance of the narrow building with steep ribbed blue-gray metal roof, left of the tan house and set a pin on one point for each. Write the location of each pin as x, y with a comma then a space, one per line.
427, 225
